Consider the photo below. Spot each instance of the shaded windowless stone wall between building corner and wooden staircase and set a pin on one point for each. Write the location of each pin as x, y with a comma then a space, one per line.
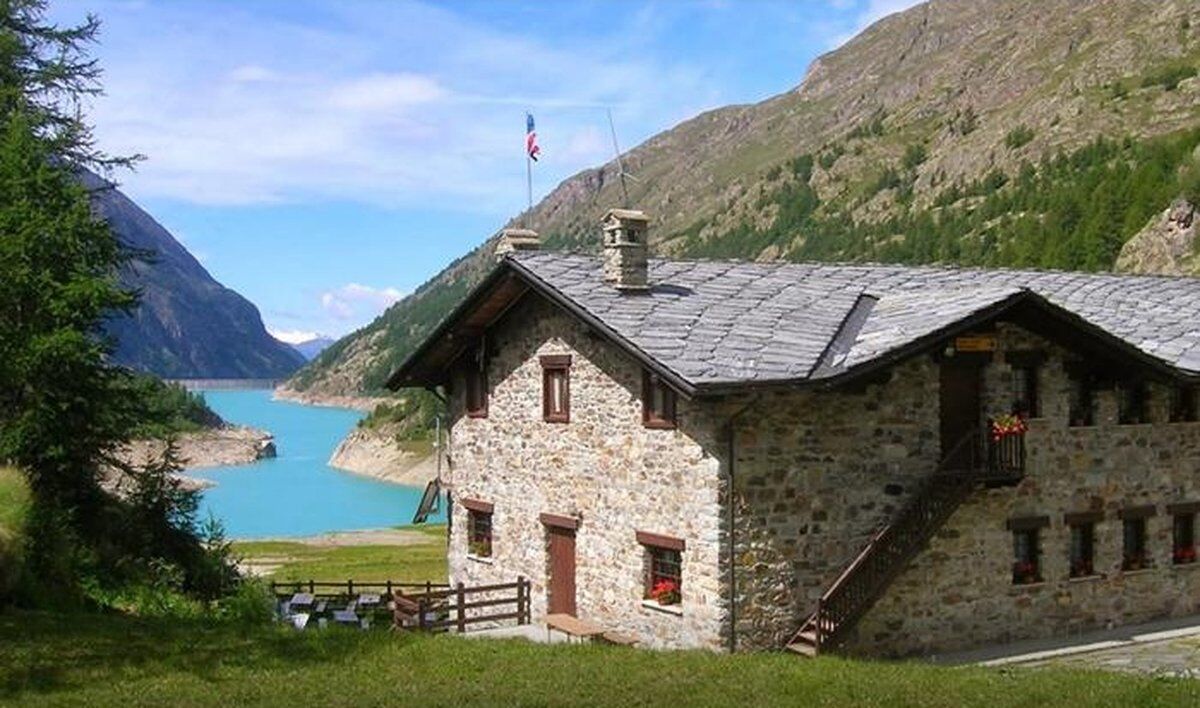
817, 473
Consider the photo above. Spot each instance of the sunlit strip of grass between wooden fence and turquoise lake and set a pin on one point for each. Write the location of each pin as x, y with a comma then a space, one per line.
418, 562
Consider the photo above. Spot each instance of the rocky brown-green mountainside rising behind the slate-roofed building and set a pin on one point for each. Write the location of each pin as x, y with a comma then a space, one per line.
1037, 134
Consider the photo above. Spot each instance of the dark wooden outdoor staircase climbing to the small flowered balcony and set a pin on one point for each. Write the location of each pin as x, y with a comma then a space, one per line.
890, 550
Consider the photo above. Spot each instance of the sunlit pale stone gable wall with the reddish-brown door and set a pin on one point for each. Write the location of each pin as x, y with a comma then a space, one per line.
603, 467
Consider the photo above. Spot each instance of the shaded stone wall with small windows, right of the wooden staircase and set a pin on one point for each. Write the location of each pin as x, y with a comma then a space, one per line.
959, 592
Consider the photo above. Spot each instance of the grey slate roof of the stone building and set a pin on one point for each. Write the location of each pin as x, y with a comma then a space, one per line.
721, 323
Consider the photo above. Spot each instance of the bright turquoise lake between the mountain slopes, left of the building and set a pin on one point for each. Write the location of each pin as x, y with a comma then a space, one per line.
297, 494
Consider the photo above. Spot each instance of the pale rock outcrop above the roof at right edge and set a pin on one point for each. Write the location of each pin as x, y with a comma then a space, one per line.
1167, 247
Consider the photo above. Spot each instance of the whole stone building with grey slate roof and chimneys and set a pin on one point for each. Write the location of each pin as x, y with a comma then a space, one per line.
873, 459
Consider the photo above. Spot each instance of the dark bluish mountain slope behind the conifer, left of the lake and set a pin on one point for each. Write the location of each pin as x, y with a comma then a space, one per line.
188, 326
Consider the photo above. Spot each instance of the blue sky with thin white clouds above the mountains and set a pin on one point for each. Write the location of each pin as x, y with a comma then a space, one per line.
326, 159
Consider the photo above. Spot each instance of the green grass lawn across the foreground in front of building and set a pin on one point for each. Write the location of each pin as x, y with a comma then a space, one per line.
115, 661
